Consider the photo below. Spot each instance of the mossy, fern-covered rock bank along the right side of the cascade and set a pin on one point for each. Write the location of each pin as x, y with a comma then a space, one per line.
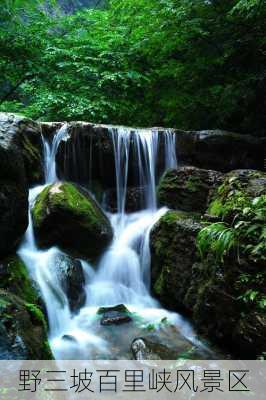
223, 291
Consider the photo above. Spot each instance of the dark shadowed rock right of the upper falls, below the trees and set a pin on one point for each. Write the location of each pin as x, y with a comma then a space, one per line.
220, 150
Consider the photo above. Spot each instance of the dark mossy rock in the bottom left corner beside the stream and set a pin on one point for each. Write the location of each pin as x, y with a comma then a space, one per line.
23, 329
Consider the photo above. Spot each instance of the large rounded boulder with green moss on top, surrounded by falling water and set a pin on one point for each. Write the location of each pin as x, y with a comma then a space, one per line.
64, 215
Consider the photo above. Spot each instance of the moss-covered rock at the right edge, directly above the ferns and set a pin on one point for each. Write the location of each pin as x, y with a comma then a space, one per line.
235, 193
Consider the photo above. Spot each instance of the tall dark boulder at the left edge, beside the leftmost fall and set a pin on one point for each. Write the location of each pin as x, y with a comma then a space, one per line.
20, 166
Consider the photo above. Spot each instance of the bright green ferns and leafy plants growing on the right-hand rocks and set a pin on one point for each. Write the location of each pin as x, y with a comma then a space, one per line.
247, 236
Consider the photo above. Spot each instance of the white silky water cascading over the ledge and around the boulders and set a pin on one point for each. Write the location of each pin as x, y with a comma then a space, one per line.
123, 273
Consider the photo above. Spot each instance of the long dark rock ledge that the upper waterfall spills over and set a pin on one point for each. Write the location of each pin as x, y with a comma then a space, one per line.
219, 150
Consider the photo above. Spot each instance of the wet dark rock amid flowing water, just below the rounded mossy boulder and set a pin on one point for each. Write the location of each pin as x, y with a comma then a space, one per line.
72, 280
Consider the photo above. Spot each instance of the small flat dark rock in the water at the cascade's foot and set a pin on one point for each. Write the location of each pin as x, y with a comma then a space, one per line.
114, 315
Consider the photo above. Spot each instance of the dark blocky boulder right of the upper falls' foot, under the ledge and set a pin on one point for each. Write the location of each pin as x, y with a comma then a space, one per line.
187, 188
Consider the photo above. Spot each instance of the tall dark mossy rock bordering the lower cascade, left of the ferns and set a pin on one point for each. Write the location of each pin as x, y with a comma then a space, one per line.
173, 249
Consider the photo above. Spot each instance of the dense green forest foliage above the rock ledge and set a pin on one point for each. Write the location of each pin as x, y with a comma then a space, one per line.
191, 64
